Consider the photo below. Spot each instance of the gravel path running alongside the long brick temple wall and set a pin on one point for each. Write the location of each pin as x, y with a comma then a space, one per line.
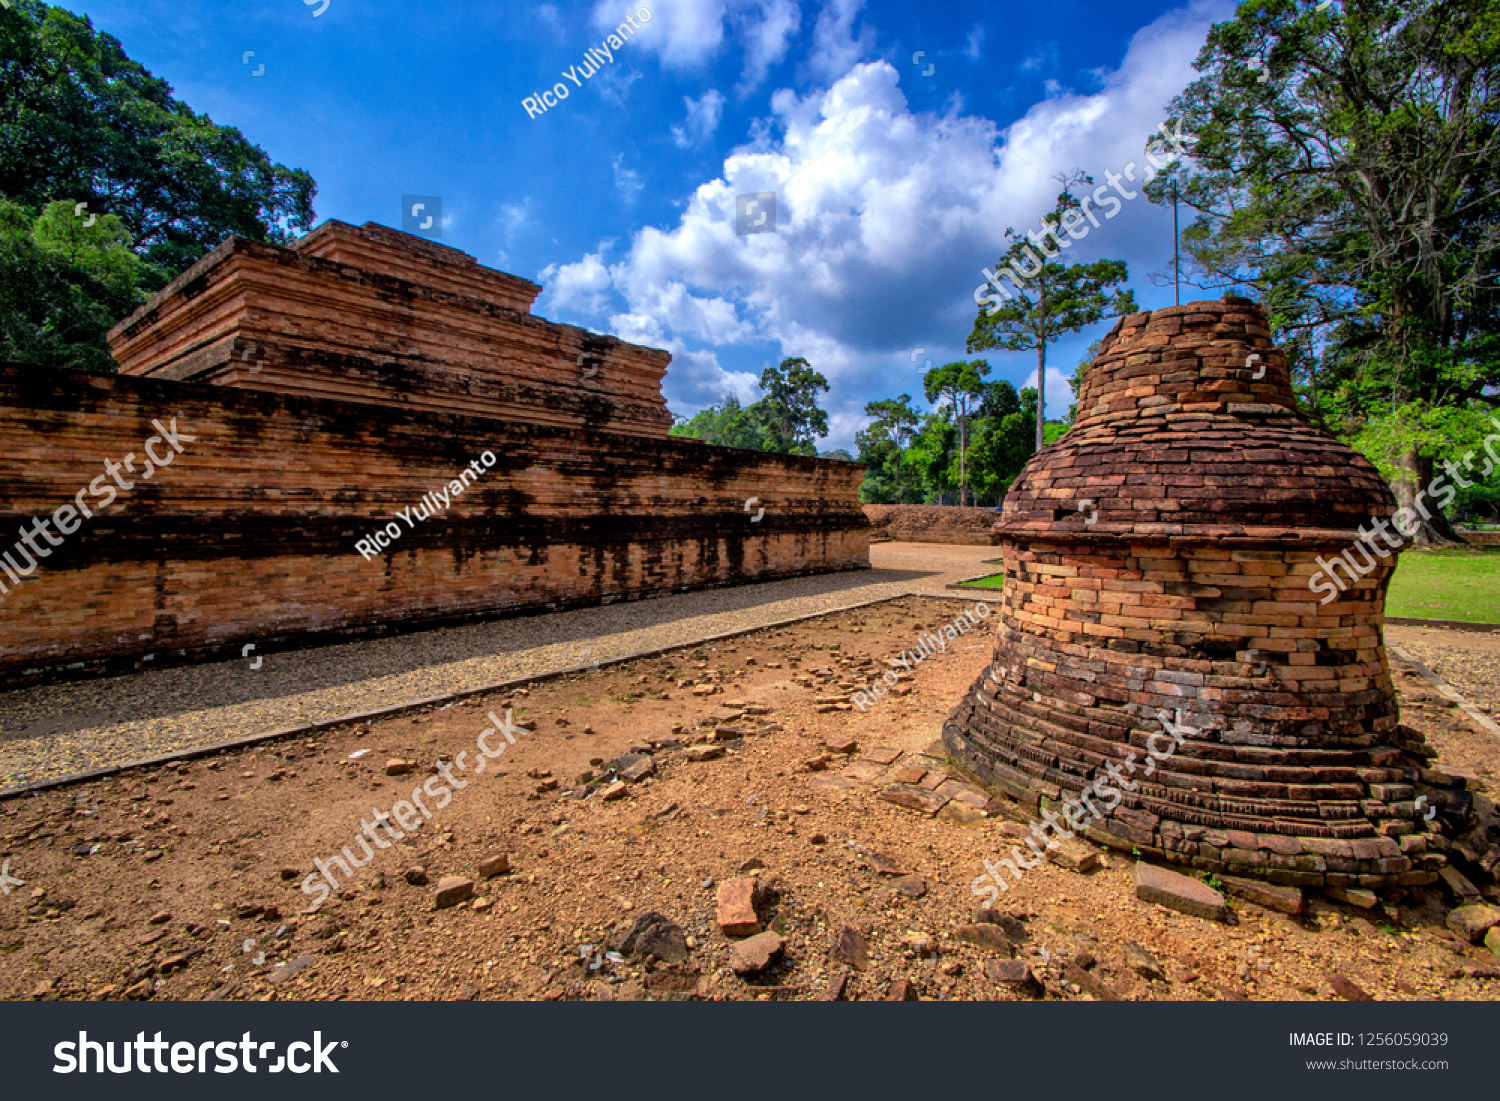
73, 728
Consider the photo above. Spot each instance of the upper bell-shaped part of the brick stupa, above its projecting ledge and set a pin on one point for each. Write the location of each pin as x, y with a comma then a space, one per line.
1175, 437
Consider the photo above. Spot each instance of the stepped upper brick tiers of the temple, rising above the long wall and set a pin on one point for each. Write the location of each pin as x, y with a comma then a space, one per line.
374, 316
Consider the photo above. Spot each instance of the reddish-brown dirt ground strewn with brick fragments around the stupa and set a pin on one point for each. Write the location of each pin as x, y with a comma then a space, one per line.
184, 883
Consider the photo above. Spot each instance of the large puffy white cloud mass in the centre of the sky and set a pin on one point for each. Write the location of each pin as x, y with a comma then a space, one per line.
886, 218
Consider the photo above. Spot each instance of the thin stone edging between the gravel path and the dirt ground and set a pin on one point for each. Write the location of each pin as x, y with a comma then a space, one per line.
416, 706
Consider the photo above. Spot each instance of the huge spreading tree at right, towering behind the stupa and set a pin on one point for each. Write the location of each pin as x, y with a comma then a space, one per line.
1346, 166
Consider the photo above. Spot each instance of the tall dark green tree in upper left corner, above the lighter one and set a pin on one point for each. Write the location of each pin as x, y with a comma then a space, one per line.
80, 121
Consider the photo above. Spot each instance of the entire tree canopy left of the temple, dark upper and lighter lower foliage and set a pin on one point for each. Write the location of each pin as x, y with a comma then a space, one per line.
82, 124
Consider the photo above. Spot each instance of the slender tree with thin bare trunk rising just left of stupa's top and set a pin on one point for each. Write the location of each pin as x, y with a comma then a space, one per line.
1049, 296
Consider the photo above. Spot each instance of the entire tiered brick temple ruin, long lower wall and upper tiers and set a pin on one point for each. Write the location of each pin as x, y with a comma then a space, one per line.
323, 389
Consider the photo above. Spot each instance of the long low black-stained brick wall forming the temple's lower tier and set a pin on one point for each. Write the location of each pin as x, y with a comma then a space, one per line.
250, 535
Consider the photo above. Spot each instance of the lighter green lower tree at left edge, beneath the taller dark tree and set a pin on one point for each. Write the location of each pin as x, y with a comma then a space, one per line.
64, 286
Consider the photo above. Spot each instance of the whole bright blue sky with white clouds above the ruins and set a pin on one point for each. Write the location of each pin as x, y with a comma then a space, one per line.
895, 181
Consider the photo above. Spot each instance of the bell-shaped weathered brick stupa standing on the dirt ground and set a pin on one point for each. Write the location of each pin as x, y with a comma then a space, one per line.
1159, 562
